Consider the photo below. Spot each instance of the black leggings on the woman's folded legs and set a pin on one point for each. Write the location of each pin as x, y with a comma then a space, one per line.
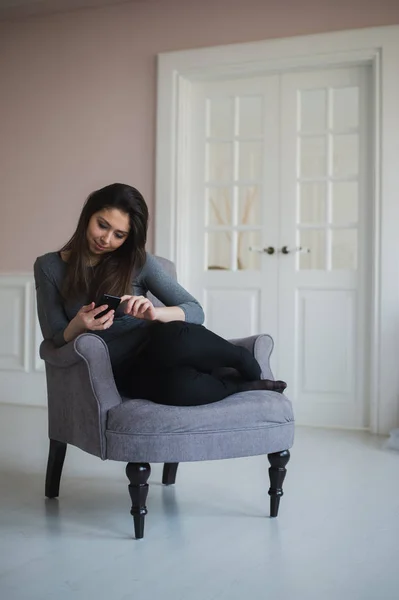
178, 363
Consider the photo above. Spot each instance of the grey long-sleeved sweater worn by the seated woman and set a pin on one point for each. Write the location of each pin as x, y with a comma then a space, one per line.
127, 334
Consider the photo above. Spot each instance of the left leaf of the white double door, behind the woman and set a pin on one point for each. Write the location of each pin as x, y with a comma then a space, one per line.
234, 200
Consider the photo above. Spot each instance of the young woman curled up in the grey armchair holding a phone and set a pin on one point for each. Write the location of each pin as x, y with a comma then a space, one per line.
163, 354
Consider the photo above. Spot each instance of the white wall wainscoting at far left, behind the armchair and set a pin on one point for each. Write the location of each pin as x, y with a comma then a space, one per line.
22, 378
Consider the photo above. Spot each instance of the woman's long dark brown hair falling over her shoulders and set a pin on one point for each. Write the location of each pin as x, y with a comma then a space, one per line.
113, 274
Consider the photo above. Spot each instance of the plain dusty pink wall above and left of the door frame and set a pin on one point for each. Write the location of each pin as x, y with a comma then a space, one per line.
78, 92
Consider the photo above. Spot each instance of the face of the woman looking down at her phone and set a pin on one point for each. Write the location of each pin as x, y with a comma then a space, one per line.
107, 230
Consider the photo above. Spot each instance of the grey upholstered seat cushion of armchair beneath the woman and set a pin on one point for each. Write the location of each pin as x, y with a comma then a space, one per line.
245, 424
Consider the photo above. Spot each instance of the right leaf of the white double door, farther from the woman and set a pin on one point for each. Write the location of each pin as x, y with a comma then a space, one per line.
322, 283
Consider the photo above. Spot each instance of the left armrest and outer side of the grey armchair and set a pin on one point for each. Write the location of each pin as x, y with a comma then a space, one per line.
81, 390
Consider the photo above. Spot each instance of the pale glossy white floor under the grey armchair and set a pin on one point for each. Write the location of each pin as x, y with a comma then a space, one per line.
208, 537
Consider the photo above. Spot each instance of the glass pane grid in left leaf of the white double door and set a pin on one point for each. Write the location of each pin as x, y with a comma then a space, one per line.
233, 181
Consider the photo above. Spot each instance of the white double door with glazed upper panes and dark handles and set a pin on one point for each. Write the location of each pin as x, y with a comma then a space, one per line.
280, 225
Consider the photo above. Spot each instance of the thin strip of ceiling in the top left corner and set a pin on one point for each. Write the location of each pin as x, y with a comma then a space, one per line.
20, 9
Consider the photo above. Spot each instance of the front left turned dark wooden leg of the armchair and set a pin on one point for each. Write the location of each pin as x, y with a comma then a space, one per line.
138, 474
